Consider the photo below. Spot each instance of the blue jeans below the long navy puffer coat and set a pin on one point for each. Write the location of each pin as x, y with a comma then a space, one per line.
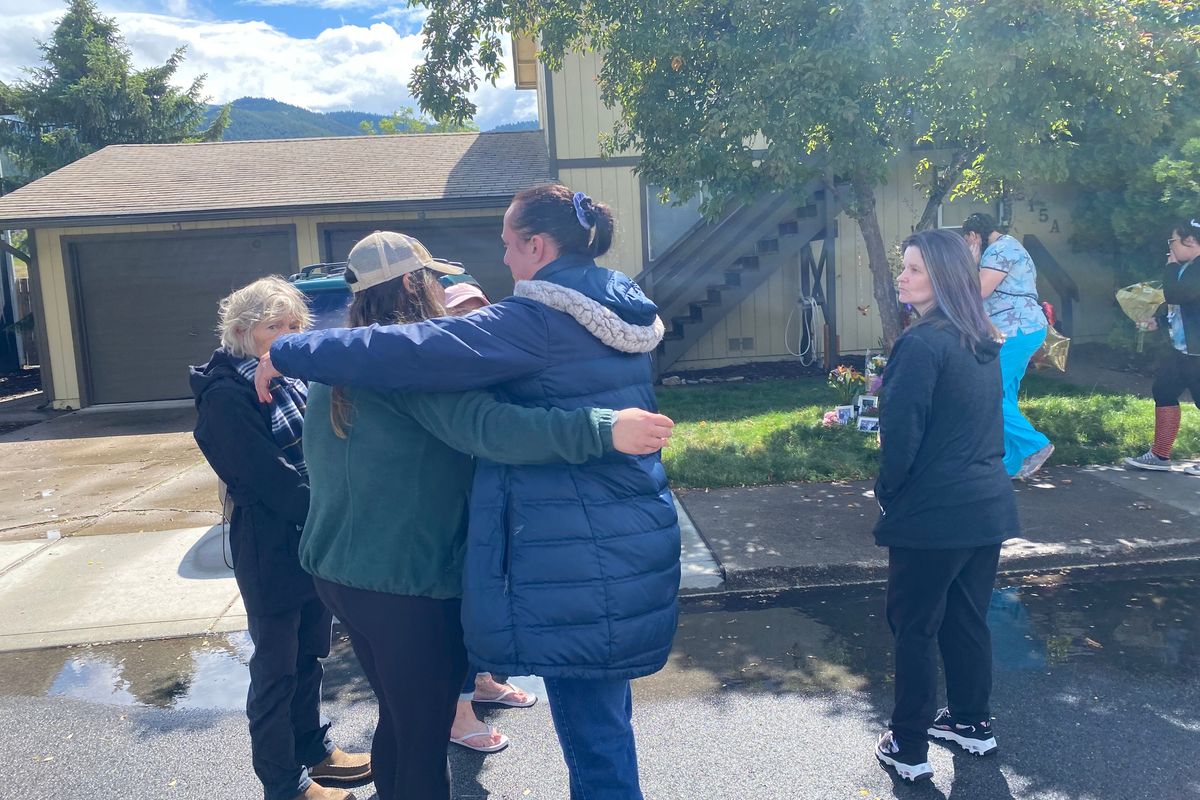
595, 725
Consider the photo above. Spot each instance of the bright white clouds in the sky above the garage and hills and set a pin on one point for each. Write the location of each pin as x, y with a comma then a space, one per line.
353, 68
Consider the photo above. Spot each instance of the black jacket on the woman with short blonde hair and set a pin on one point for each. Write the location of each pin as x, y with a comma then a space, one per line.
271, 497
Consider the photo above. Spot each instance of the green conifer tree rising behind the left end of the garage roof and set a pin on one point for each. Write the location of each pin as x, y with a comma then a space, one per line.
87, 95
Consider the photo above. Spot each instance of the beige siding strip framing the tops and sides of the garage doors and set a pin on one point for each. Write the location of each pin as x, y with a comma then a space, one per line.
52, 273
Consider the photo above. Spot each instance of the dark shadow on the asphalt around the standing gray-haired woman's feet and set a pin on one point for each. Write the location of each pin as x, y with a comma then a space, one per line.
1081, 669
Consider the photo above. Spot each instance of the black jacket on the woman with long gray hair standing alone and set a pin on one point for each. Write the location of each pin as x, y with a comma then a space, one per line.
943, 483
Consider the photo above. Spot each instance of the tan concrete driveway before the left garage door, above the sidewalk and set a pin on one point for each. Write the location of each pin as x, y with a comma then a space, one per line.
106, 472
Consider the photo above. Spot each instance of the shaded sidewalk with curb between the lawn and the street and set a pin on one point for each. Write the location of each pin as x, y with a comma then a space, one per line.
820, 534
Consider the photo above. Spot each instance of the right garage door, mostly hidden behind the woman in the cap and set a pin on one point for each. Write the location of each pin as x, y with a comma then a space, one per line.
475, 243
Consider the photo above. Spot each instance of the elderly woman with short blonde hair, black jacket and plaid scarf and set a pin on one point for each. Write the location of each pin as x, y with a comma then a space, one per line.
257, 452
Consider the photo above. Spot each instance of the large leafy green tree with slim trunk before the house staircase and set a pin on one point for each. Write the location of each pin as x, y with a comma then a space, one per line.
749, 97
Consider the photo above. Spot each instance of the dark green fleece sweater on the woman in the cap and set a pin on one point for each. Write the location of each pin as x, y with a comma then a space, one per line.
388, 509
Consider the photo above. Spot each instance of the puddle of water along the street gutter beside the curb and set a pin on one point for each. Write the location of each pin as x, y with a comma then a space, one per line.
789, 642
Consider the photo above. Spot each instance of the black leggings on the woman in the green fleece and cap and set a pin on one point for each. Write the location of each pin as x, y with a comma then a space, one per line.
412, 652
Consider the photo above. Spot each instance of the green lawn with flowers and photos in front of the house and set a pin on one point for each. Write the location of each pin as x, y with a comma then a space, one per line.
770, 432
